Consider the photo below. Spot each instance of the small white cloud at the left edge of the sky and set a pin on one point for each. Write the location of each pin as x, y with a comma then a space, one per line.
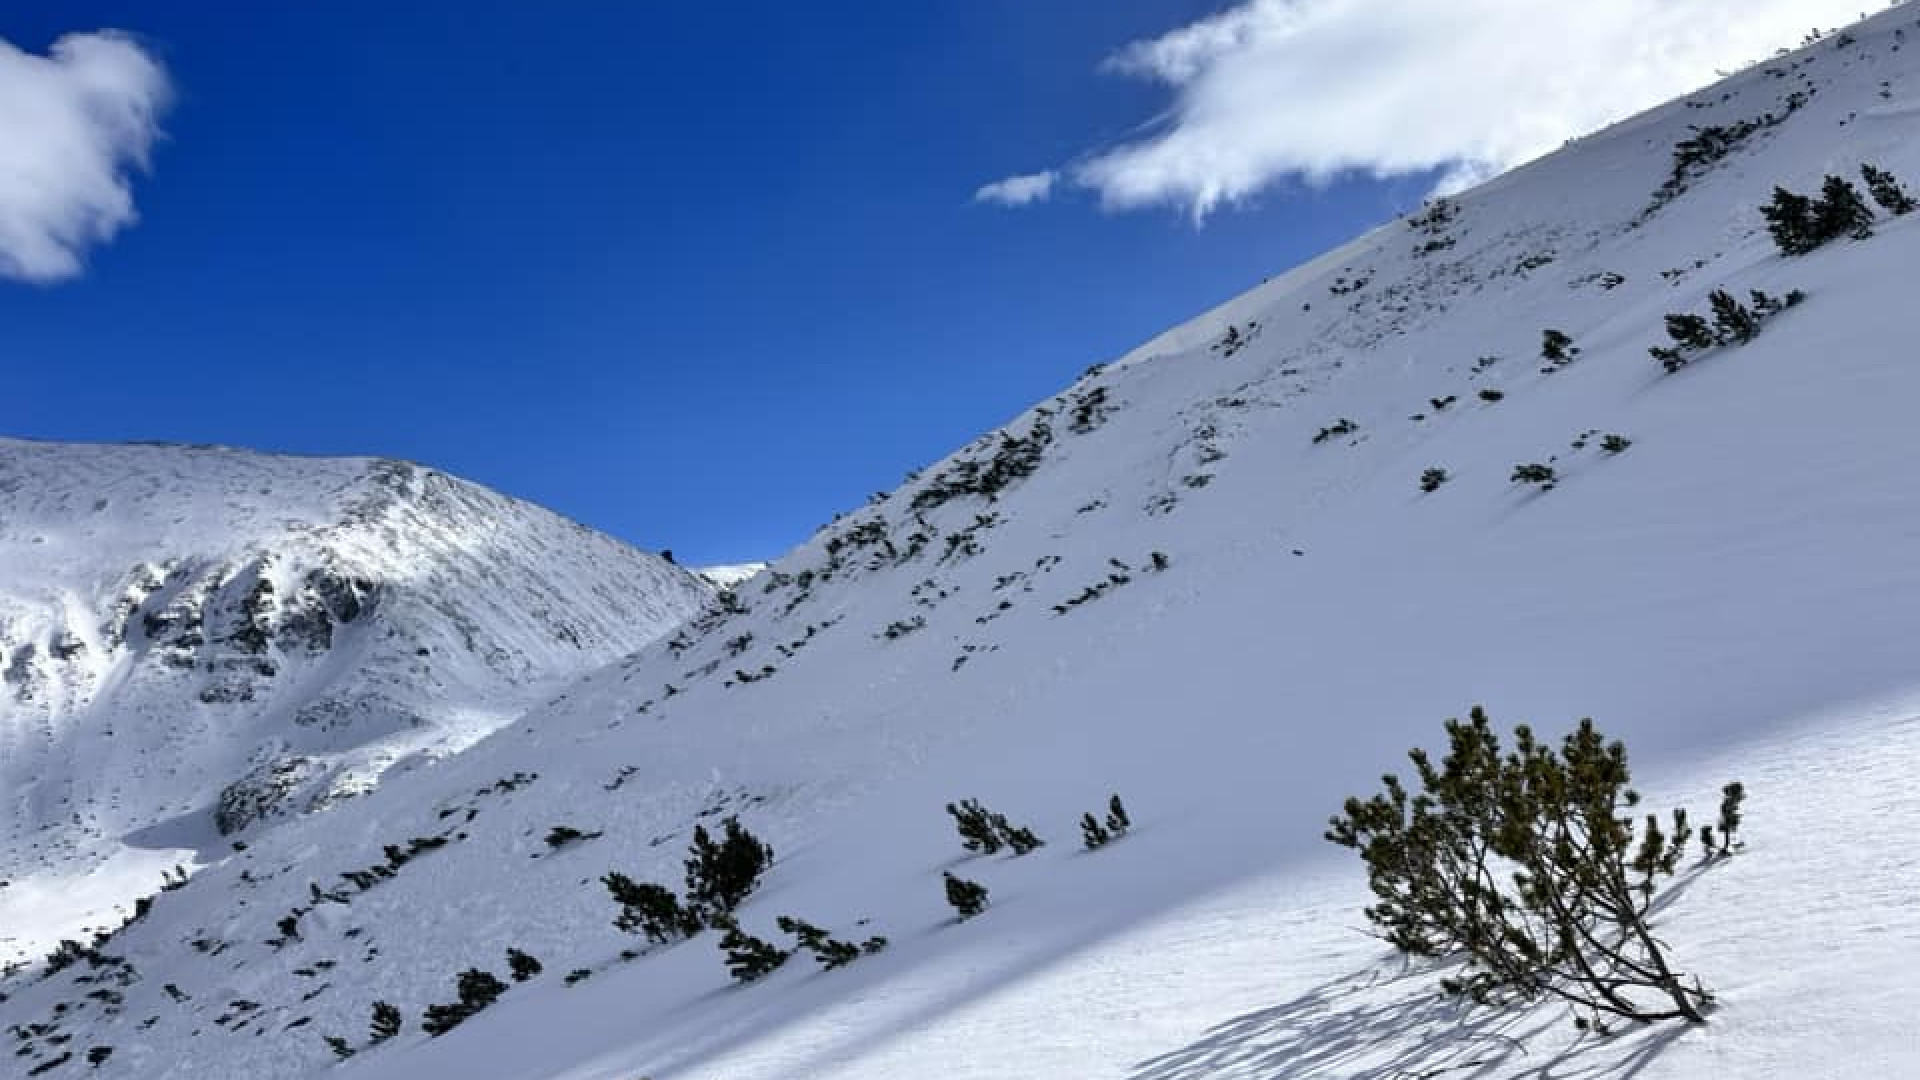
74, 124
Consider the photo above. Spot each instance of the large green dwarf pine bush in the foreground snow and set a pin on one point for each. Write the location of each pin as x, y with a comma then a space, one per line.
1535, 866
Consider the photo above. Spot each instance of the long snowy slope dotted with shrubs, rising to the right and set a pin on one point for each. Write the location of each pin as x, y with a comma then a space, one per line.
1207, 577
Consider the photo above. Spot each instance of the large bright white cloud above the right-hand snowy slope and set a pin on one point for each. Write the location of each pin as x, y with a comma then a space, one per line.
1278, 89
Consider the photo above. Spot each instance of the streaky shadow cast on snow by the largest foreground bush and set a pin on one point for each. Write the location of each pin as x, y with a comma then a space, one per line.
1393, 1023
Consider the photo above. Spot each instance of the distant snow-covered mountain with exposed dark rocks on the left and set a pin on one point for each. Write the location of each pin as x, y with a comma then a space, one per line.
199, 641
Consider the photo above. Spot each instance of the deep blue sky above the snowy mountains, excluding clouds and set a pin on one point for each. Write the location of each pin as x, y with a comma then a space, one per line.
700, 276
